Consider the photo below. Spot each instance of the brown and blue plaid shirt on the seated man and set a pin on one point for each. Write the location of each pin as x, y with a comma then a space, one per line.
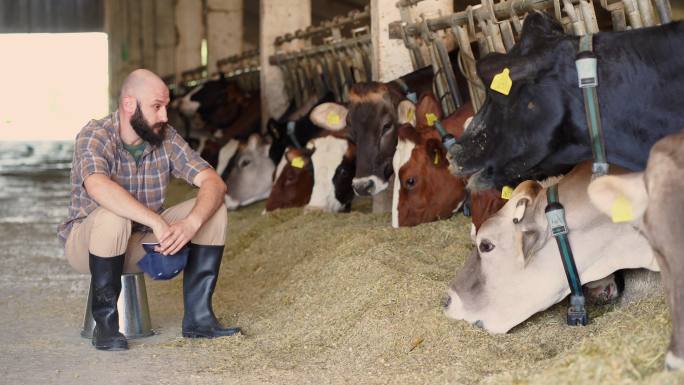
99, 150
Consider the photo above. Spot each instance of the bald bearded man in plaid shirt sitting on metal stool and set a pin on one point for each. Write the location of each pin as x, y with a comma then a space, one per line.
120, 172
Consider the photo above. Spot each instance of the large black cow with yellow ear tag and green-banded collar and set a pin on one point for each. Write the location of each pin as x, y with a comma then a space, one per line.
540, 129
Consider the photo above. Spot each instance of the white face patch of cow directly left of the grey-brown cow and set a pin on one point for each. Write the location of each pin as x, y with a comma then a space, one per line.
328, 155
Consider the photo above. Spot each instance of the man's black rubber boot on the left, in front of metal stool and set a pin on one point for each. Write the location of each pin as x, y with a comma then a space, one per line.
105, 282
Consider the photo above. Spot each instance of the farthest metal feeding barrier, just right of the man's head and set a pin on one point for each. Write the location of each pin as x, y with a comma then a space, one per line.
243, 68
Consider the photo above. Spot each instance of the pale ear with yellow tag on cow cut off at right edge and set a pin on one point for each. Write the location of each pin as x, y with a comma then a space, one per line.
622, 197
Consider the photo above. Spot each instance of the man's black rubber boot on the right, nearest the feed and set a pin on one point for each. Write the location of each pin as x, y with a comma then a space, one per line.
199, 281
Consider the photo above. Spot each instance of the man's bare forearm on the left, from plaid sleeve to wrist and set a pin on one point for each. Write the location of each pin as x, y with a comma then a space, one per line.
116, 199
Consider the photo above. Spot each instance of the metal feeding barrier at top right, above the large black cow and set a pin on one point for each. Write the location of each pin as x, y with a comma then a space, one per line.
495, 27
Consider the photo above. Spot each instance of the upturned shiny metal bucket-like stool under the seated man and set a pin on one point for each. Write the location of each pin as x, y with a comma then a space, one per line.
134, 313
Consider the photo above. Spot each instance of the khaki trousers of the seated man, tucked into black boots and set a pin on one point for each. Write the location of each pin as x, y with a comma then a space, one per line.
106, 234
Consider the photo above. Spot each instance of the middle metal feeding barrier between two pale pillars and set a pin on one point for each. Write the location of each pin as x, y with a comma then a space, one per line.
328, 58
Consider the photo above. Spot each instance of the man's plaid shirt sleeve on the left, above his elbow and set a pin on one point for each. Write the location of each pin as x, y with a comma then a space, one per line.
90, 154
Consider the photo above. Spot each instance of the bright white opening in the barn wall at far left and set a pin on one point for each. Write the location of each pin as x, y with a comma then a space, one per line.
51, 85
